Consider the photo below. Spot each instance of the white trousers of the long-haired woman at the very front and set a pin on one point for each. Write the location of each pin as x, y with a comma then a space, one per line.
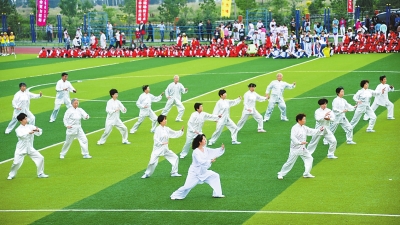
191, 181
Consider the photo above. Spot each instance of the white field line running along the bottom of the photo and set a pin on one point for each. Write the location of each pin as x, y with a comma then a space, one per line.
199, 211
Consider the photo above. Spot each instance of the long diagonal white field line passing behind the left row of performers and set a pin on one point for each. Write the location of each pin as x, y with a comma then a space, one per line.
50, 146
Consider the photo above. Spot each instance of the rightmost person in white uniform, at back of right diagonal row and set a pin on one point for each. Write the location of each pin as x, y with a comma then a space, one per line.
383, 100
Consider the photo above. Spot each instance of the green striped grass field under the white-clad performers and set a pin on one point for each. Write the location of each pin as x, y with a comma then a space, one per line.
360, 187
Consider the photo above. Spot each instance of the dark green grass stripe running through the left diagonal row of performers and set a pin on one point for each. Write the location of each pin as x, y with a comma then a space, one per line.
208, 82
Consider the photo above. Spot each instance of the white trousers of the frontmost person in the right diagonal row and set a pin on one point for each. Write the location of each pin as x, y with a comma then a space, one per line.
293, 155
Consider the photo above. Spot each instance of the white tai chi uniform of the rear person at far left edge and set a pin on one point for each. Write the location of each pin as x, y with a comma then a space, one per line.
22, 100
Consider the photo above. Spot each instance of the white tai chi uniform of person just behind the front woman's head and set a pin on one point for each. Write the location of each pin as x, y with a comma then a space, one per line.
194, 128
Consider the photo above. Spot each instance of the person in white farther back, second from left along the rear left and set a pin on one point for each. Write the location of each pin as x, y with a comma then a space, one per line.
63, 88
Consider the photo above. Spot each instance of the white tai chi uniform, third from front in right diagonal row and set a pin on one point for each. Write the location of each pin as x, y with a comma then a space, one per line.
338, 106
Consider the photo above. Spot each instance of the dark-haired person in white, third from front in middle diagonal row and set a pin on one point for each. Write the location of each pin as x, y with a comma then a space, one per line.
222, 107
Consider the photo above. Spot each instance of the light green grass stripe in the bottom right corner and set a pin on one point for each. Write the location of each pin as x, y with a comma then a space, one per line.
372, 168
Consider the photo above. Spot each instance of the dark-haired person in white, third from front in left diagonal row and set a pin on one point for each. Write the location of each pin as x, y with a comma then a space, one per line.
113, 109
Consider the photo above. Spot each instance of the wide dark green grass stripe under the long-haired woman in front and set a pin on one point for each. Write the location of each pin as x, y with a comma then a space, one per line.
248, 172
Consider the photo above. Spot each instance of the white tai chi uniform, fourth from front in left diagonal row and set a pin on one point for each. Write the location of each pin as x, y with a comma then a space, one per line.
143, 101
